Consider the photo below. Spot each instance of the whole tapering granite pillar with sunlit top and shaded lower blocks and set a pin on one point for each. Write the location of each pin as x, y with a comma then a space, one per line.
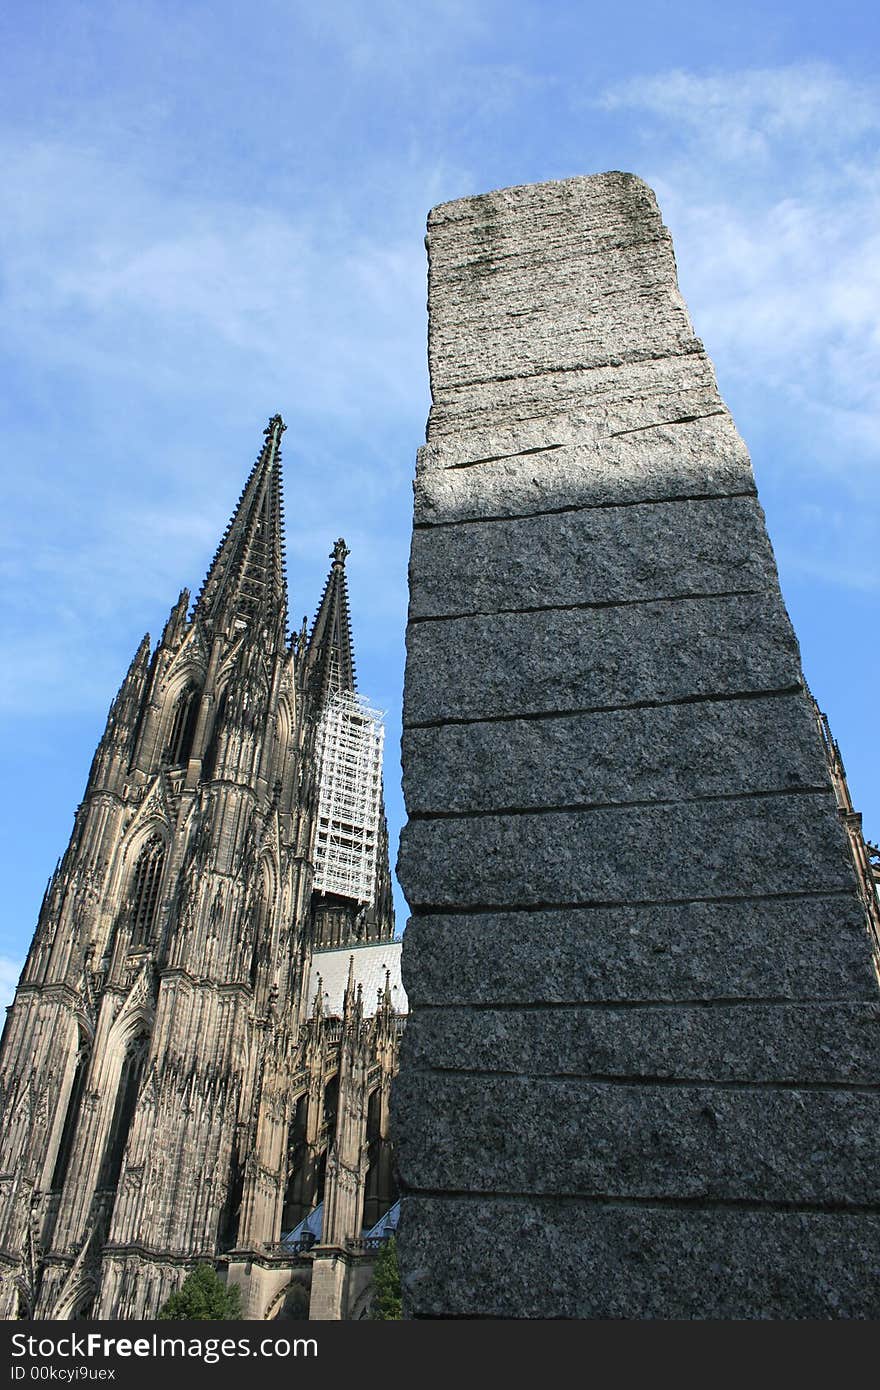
642, 1074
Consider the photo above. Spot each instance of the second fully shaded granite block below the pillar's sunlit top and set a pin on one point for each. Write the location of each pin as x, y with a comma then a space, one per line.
568, 660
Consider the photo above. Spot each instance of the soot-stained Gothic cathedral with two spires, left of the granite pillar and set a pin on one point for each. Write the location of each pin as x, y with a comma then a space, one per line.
199, 1057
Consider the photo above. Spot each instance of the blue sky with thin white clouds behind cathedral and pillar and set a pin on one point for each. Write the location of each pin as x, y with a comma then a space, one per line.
213, 213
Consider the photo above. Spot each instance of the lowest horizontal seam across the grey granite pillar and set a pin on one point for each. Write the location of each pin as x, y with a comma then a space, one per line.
710, 1204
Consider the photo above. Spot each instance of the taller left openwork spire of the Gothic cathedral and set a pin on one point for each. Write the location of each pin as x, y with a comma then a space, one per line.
247, 576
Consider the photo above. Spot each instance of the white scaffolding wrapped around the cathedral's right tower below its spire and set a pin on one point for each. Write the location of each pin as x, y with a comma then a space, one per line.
350, 746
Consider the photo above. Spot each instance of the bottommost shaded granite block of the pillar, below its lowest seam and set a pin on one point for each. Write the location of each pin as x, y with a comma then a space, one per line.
636, 1261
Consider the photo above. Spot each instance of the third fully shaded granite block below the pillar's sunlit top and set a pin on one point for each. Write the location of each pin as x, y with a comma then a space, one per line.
612, 757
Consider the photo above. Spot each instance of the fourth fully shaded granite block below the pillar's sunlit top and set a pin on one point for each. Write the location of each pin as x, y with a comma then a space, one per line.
636, 854
